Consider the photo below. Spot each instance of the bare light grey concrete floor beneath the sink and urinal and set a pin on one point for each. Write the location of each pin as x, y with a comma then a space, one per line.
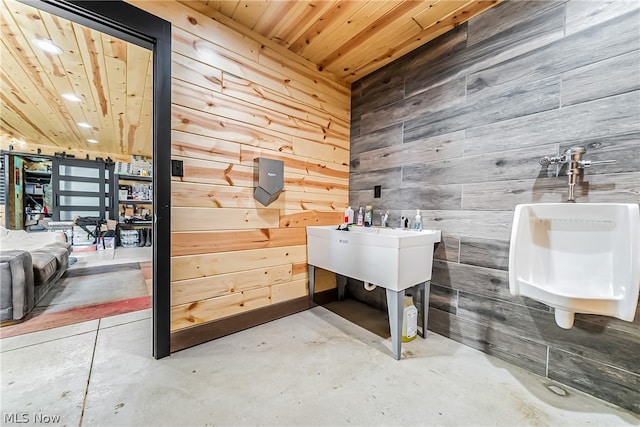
312, 368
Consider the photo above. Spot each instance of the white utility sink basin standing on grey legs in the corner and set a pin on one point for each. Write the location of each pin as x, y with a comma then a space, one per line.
394, 259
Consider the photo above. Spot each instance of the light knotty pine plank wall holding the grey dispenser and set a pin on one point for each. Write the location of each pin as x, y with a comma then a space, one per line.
236, 97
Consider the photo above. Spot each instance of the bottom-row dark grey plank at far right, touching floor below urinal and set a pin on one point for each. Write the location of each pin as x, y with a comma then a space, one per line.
597, 379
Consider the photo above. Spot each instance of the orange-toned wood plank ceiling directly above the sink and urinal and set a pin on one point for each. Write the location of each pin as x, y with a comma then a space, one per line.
350, 38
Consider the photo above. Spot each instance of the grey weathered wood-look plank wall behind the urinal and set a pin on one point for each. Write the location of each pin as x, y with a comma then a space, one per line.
456, 129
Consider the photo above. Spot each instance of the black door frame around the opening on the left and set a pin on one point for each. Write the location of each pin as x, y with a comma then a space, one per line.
127, 22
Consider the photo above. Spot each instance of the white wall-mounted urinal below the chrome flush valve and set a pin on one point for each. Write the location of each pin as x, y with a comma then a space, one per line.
577, 258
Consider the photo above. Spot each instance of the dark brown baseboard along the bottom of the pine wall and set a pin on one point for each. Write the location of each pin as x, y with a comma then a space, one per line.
185, 338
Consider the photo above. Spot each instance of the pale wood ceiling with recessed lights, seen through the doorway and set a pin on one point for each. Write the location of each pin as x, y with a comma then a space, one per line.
111, 78
